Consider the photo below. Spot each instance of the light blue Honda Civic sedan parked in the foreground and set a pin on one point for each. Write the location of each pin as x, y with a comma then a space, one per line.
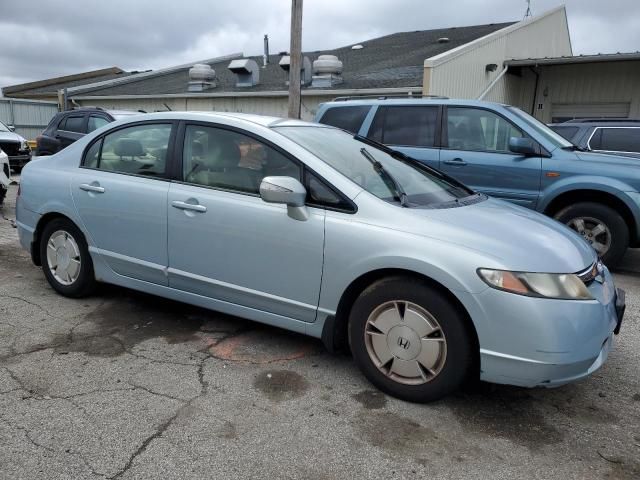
308, 228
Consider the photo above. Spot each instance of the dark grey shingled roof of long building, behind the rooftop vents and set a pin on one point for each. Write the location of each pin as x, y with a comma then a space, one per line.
391, 61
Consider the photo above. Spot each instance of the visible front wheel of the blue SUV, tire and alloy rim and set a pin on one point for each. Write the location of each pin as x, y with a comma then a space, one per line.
601, 226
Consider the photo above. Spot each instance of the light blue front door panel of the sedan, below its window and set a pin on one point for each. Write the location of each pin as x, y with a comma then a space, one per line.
236, 248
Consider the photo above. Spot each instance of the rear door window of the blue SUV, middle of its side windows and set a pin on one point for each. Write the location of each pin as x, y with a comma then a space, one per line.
408, 126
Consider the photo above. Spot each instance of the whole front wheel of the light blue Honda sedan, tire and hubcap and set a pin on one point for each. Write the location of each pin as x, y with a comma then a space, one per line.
409, 340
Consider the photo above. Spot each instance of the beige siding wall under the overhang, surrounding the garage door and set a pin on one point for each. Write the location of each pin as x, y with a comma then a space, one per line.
589, 84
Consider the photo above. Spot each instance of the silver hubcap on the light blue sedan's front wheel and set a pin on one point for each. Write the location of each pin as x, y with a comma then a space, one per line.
405, 342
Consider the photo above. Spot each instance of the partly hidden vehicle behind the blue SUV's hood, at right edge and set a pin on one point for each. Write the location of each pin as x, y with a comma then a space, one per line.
606, 135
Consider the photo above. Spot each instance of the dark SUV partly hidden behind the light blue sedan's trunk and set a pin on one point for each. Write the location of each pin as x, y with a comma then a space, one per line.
68, 126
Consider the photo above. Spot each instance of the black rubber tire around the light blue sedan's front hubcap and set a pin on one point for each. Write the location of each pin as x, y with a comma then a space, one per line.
458, 360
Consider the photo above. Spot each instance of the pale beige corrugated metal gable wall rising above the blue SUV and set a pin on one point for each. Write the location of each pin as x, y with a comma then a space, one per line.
464, 76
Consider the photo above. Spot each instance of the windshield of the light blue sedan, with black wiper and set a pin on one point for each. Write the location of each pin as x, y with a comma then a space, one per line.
398, 180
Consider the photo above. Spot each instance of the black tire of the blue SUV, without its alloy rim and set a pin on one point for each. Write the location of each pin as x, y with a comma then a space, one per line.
610, 218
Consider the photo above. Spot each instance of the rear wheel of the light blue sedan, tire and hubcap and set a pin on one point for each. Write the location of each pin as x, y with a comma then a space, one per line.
65, 259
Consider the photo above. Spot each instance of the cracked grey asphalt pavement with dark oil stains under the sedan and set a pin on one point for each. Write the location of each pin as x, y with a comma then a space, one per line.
126, 385
